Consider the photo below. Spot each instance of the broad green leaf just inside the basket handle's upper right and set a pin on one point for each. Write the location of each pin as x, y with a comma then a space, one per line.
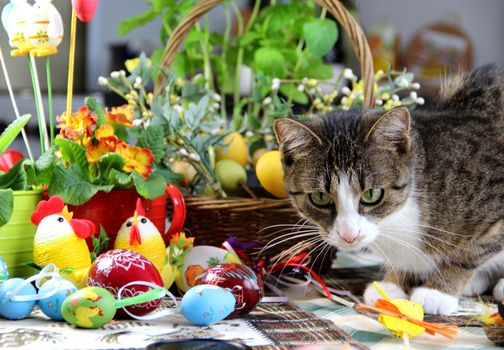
320, 36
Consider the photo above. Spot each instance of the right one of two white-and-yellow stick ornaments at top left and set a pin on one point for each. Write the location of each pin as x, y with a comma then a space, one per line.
45, 28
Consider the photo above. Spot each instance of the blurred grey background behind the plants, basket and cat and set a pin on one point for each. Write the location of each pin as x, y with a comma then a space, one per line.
429, 37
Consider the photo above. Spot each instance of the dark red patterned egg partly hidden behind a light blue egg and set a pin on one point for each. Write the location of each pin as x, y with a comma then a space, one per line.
241, 280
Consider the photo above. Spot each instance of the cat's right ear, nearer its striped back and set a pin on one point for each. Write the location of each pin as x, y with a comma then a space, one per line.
392, 129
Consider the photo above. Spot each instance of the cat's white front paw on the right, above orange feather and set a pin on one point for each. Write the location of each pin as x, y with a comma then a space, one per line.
435, 302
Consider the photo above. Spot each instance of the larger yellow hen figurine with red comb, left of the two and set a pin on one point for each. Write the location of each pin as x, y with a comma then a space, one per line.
61, 240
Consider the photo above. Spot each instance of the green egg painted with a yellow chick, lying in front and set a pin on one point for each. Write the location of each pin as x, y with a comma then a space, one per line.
90, 307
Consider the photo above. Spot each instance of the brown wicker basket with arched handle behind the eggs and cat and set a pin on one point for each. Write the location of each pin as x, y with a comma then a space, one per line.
213, 220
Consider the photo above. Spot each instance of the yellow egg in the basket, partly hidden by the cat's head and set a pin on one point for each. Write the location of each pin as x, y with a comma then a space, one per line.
270, 173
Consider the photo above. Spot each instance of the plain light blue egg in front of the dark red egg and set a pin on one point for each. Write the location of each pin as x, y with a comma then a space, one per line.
206, 304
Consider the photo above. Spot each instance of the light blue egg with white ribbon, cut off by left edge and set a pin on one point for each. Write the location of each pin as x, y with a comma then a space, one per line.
15, 310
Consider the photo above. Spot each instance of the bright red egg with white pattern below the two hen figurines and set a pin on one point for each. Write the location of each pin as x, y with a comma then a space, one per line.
118, 267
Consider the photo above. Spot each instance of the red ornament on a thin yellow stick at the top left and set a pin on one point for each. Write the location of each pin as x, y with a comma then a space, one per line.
84, 10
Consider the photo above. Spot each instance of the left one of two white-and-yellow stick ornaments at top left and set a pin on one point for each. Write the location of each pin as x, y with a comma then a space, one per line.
16, 20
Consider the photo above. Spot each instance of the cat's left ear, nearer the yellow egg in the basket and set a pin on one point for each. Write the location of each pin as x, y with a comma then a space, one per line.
295, 138
